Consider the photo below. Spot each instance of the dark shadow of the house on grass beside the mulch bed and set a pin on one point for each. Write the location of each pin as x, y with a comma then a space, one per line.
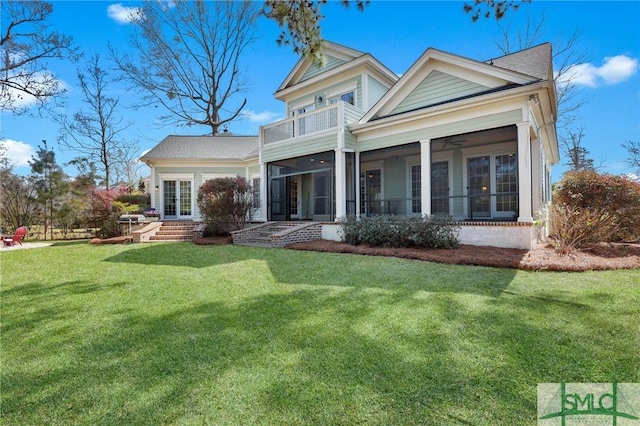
308, 267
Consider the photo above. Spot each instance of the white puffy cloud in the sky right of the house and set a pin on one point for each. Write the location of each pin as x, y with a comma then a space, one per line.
614, 70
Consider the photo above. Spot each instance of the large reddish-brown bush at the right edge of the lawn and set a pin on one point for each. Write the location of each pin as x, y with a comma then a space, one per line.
585, 198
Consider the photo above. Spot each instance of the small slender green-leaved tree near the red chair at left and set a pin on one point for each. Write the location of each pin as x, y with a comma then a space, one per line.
49, 181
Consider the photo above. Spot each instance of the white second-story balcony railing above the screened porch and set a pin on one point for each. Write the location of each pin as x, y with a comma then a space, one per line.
321, 120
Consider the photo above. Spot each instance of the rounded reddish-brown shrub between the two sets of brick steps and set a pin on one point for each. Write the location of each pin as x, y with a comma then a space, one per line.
226, 204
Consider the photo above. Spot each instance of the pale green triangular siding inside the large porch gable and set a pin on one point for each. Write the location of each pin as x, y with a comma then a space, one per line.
435, 88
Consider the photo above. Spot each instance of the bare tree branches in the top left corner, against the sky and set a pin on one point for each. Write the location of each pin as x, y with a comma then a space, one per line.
26, 42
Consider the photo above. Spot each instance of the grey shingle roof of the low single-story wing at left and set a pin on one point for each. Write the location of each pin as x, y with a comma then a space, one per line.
221, 147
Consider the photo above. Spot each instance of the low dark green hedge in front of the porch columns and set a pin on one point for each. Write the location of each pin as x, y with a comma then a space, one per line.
401, 231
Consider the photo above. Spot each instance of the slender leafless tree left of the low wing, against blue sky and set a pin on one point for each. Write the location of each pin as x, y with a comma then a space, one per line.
95, 130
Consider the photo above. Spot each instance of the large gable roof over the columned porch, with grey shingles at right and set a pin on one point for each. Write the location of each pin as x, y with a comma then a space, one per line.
502, 73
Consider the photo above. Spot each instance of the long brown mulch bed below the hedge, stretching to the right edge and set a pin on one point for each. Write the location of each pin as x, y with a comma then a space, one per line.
543, 257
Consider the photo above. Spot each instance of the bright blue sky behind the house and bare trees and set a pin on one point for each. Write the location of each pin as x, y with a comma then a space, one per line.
396, 33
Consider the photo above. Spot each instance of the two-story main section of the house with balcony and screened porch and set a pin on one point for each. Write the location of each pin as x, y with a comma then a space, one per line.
454, 136
